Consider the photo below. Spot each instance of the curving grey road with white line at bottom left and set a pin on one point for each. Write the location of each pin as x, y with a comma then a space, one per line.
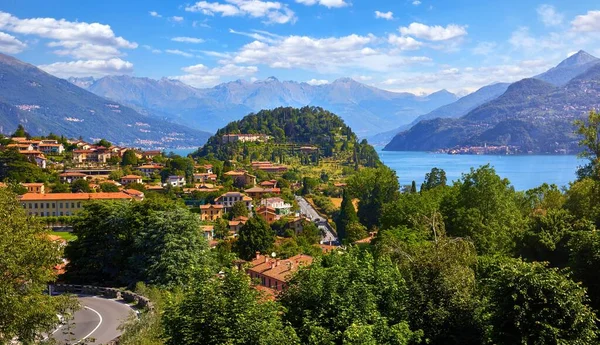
99, 319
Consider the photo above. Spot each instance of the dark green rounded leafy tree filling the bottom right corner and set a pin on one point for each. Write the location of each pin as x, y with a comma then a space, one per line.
532, 304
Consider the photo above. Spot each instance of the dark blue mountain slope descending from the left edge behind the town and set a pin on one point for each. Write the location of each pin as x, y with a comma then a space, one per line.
44, 104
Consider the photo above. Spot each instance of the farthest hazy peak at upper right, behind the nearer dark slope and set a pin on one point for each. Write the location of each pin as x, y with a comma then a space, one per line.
569, 68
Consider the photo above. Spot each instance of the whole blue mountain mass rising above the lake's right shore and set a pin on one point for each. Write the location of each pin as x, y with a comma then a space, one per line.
534, 114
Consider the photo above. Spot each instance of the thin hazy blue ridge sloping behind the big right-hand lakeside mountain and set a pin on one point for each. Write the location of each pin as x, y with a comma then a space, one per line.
453, 110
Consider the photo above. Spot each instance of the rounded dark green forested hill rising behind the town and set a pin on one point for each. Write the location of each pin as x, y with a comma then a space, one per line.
292, 132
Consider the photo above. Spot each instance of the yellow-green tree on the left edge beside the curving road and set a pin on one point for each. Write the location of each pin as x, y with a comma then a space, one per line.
27, 259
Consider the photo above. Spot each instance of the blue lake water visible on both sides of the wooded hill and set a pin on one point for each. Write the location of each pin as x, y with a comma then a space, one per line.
524, 172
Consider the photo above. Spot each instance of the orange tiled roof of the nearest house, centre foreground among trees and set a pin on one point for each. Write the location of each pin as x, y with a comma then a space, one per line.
279, 269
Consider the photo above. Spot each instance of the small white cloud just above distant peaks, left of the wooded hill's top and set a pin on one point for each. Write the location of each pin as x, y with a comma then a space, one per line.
203, 76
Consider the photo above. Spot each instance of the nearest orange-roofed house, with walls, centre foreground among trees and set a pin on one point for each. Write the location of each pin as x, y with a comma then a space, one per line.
274, 273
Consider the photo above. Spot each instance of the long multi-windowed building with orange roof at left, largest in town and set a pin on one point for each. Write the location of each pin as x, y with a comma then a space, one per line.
63, 204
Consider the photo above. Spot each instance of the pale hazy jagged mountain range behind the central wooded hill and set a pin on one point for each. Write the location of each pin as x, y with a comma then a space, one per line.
366, 109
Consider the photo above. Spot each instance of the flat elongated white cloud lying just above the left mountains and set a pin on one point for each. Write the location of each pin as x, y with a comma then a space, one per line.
86, 68
